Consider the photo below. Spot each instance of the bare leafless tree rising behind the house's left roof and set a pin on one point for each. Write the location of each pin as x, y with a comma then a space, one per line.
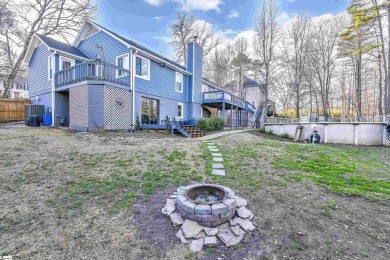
46, 17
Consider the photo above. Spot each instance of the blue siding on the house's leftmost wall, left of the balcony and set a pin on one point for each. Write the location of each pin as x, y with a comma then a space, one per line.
38, 72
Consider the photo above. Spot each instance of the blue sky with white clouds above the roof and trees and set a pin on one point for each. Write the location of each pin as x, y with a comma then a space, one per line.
148, 21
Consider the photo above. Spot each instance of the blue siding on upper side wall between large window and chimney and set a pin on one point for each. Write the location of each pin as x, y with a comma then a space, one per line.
162, 83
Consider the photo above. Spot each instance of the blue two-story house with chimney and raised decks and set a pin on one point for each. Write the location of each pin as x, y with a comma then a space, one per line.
106, 81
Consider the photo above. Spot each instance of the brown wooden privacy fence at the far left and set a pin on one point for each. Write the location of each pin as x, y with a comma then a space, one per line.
12, 109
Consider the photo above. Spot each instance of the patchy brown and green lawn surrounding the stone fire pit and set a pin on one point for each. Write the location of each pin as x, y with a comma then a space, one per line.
98, 196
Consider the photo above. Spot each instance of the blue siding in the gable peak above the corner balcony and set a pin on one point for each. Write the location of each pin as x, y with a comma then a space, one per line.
111, 47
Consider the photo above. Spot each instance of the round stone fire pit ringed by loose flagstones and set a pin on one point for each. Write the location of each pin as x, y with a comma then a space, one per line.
206, 212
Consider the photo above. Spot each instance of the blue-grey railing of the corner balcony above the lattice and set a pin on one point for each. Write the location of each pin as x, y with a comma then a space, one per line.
94, 70
